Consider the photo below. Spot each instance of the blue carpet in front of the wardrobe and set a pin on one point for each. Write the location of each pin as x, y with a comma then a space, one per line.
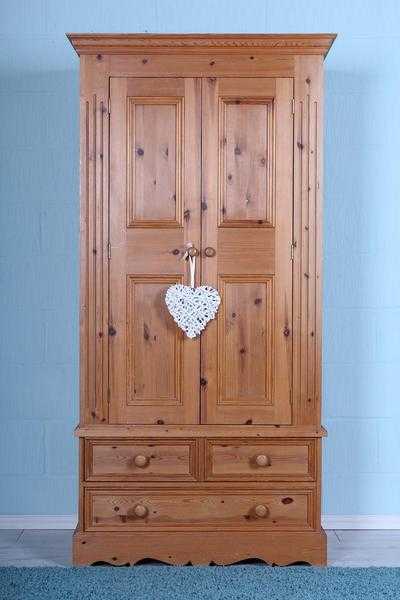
199, 583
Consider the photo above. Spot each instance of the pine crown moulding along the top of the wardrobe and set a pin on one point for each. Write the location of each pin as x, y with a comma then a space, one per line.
134, 43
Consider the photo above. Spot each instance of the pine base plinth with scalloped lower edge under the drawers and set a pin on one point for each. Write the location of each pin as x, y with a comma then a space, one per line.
199, 548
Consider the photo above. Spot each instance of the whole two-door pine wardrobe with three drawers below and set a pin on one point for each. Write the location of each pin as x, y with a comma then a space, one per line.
203, 450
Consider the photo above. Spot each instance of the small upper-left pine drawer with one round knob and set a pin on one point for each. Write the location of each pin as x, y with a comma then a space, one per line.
141, 460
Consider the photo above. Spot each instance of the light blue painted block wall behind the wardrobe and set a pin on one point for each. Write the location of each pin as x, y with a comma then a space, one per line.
39, 235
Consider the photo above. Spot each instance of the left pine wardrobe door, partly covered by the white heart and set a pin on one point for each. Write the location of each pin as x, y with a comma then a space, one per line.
155, 156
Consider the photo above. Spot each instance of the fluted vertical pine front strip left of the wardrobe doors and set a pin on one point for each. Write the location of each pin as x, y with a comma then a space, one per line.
93, 239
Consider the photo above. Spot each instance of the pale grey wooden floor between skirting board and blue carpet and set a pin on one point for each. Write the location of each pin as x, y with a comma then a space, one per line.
52, 547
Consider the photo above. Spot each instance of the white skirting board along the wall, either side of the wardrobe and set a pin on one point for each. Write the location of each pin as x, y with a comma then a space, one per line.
328, 521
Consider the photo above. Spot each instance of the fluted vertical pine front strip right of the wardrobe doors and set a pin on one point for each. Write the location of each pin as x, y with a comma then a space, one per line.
308, 236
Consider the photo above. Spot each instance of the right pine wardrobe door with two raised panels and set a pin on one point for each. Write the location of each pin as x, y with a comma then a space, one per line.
247, 219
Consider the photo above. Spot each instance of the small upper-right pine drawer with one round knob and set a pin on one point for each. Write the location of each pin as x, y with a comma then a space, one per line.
251, 459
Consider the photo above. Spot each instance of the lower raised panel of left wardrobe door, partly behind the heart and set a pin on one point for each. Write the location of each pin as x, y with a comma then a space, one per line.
152, 340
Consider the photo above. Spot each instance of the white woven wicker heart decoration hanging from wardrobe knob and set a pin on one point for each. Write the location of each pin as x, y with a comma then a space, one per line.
192, 308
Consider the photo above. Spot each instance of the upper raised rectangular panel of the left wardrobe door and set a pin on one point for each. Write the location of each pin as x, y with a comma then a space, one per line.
154, 156
